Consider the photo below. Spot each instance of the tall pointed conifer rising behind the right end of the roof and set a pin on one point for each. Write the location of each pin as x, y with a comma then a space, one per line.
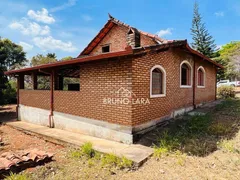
202, 40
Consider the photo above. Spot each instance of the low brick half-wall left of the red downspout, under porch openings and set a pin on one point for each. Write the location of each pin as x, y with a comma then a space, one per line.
35, 98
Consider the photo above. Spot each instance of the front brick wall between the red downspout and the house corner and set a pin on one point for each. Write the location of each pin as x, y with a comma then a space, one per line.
98, 80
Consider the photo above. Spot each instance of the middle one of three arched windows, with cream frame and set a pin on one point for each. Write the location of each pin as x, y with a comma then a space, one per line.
185, 74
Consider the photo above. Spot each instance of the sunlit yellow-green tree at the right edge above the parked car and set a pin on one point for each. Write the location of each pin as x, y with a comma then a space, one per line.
229, 57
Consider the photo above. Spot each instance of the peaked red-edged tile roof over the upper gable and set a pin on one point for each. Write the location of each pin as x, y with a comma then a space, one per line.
107, 27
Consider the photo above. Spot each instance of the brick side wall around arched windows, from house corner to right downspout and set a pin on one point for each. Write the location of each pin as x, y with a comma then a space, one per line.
176, 97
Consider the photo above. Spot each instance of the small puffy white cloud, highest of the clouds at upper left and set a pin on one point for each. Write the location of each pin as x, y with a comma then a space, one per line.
41, 16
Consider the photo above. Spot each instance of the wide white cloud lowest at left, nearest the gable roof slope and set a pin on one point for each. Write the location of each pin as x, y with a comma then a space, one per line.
49, 43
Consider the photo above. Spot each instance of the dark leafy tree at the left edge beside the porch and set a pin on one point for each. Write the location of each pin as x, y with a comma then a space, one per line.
11, 56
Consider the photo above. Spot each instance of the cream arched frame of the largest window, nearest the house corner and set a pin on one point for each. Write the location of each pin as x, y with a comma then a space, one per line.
164, 82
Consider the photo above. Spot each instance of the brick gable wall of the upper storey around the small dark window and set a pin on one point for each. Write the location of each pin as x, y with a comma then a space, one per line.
117, 38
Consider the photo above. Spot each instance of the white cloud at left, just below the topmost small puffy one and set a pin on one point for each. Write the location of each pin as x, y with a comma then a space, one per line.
30, 28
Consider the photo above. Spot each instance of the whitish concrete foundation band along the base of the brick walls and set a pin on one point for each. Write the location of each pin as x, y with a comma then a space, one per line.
91, 127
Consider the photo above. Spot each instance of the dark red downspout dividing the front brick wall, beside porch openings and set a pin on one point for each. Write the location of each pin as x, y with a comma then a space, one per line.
50, 117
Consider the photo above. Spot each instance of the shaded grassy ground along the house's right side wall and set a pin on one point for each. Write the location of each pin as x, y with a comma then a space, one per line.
197, 135
